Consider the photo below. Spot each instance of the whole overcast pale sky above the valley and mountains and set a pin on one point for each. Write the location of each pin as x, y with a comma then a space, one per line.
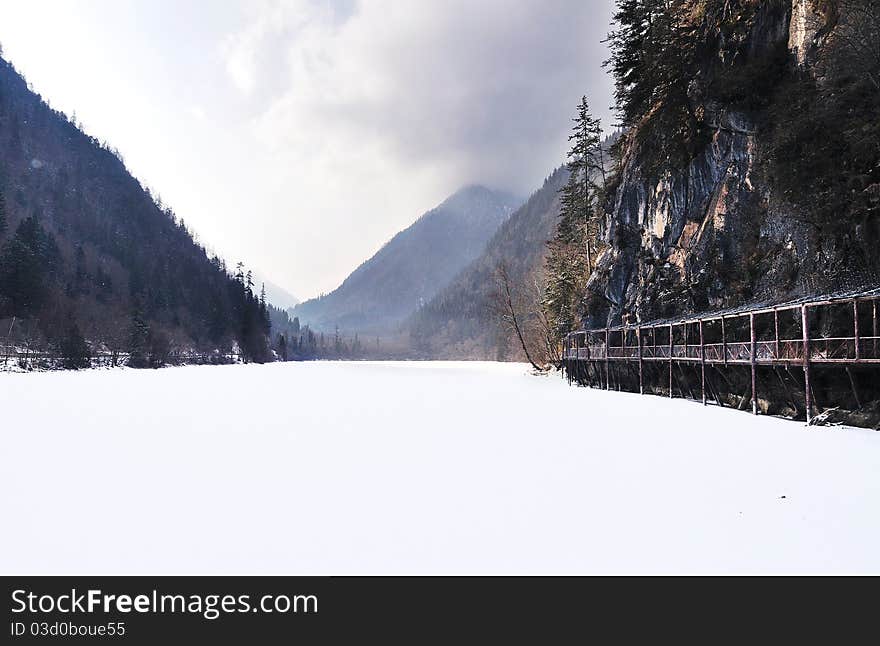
299, 135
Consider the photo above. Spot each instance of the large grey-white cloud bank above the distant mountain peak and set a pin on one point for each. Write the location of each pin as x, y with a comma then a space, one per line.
474, 91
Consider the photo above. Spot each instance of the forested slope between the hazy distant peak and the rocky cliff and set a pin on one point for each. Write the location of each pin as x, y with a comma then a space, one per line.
459, 323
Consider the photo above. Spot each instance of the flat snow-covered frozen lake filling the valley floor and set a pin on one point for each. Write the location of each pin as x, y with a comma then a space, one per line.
322, 468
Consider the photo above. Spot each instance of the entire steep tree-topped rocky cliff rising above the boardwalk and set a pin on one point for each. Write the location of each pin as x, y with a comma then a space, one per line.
779, 194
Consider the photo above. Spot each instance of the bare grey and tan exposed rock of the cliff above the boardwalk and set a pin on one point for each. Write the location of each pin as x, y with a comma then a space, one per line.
713, 233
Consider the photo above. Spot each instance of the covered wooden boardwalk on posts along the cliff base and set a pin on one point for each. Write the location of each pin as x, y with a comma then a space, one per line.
840, 330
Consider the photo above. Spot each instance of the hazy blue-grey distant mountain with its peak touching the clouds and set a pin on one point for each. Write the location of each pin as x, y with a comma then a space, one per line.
413, 266
